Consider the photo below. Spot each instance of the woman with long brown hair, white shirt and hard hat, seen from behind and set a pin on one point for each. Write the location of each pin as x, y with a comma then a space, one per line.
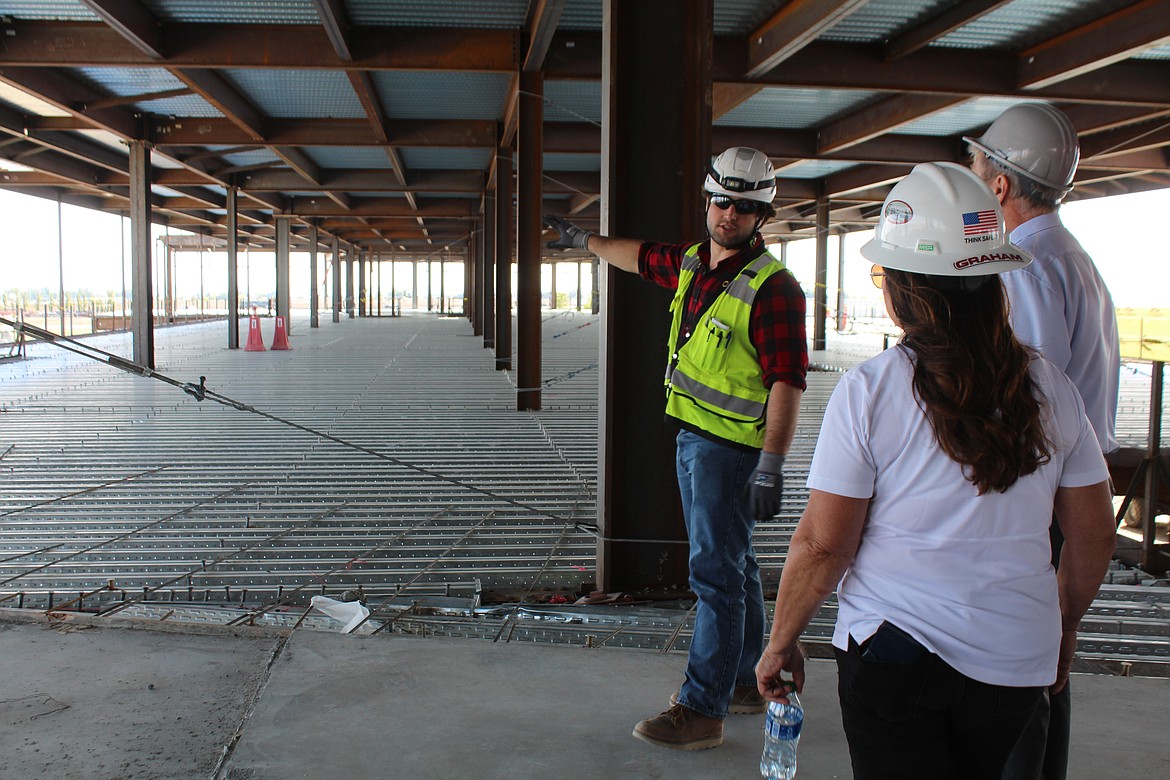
938, 472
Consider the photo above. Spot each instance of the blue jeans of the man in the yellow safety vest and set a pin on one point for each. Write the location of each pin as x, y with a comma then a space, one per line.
725, 576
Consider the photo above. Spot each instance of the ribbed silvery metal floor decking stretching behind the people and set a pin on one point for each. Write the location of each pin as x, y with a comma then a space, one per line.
421, 485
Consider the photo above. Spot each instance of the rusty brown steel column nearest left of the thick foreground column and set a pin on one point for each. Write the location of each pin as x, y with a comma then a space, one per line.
529, 146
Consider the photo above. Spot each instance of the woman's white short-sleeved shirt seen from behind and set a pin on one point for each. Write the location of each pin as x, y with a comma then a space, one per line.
968, 576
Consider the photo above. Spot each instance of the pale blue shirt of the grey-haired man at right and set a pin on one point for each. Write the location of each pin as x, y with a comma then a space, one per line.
1062, 308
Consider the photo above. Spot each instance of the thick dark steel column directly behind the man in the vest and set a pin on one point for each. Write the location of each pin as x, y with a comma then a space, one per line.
651, 188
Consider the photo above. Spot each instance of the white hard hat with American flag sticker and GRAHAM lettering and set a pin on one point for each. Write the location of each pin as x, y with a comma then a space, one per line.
944, 220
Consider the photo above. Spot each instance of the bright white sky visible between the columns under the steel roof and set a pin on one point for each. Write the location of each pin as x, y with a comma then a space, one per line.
1128, 237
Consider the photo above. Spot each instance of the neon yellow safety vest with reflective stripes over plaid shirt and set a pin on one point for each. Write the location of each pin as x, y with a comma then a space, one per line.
714, 382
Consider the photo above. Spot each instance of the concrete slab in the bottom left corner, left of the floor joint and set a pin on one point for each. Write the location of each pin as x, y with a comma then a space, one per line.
111, 705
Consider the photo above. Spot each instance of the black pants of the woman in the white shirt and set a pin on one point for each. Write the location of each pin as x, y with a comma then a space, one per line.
925, 721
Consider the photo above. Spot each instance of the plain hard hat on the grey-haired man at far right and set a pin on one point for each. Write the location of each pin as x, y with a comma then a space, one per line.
1036, 141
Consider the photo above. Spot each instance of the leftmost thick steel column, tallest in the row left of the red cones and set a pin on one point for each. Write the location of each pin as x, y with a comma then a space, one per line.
141, 288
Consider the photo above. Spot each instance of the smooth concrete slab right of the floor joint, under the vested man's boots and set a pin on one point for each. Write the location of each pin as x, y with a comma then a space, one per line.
346, 707
